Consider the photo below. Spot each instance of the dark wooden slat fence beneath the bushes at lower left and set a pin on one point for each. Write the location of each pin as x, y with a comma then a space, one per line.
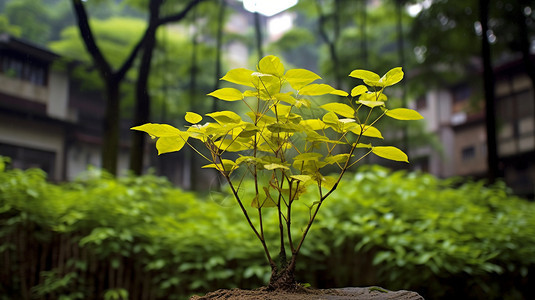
40, 264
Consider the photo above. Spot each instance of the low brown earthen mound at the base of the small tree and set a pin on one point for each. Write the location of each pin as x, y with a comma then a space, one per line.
364, 293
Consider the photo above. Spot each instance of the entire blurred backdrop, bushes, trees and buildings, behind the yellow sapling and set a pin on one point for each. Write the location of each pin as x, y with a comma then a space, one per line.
75, 75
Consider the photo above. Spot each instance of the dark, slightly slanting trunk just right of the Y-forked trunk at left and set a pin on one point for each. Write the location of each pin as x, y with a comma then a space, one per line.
142, 105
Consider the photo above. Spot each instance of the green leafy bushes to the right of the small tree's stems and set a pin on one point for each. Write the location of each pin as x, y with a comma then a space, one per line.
430, 235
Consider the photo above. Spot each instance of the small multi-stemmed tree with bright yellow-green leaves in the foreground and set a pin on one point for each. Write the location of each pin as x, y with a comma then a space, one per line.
284, 147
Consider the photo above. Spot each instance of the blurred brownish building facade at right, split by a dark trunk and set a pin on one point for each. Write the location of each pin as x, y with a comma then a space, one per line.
456, 116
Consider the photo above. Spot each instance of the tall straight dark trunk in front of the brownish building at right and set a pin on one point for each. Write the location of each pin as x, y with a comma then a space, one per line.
488, 84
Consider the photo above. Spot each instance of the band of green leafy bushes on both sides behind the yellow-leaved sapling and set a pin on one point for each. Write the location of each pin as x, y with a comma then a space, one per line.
395, 229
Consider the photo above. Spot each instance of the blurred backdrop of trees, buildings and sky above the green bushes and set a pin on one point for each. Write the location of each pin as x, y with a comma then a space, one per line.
469, 70
